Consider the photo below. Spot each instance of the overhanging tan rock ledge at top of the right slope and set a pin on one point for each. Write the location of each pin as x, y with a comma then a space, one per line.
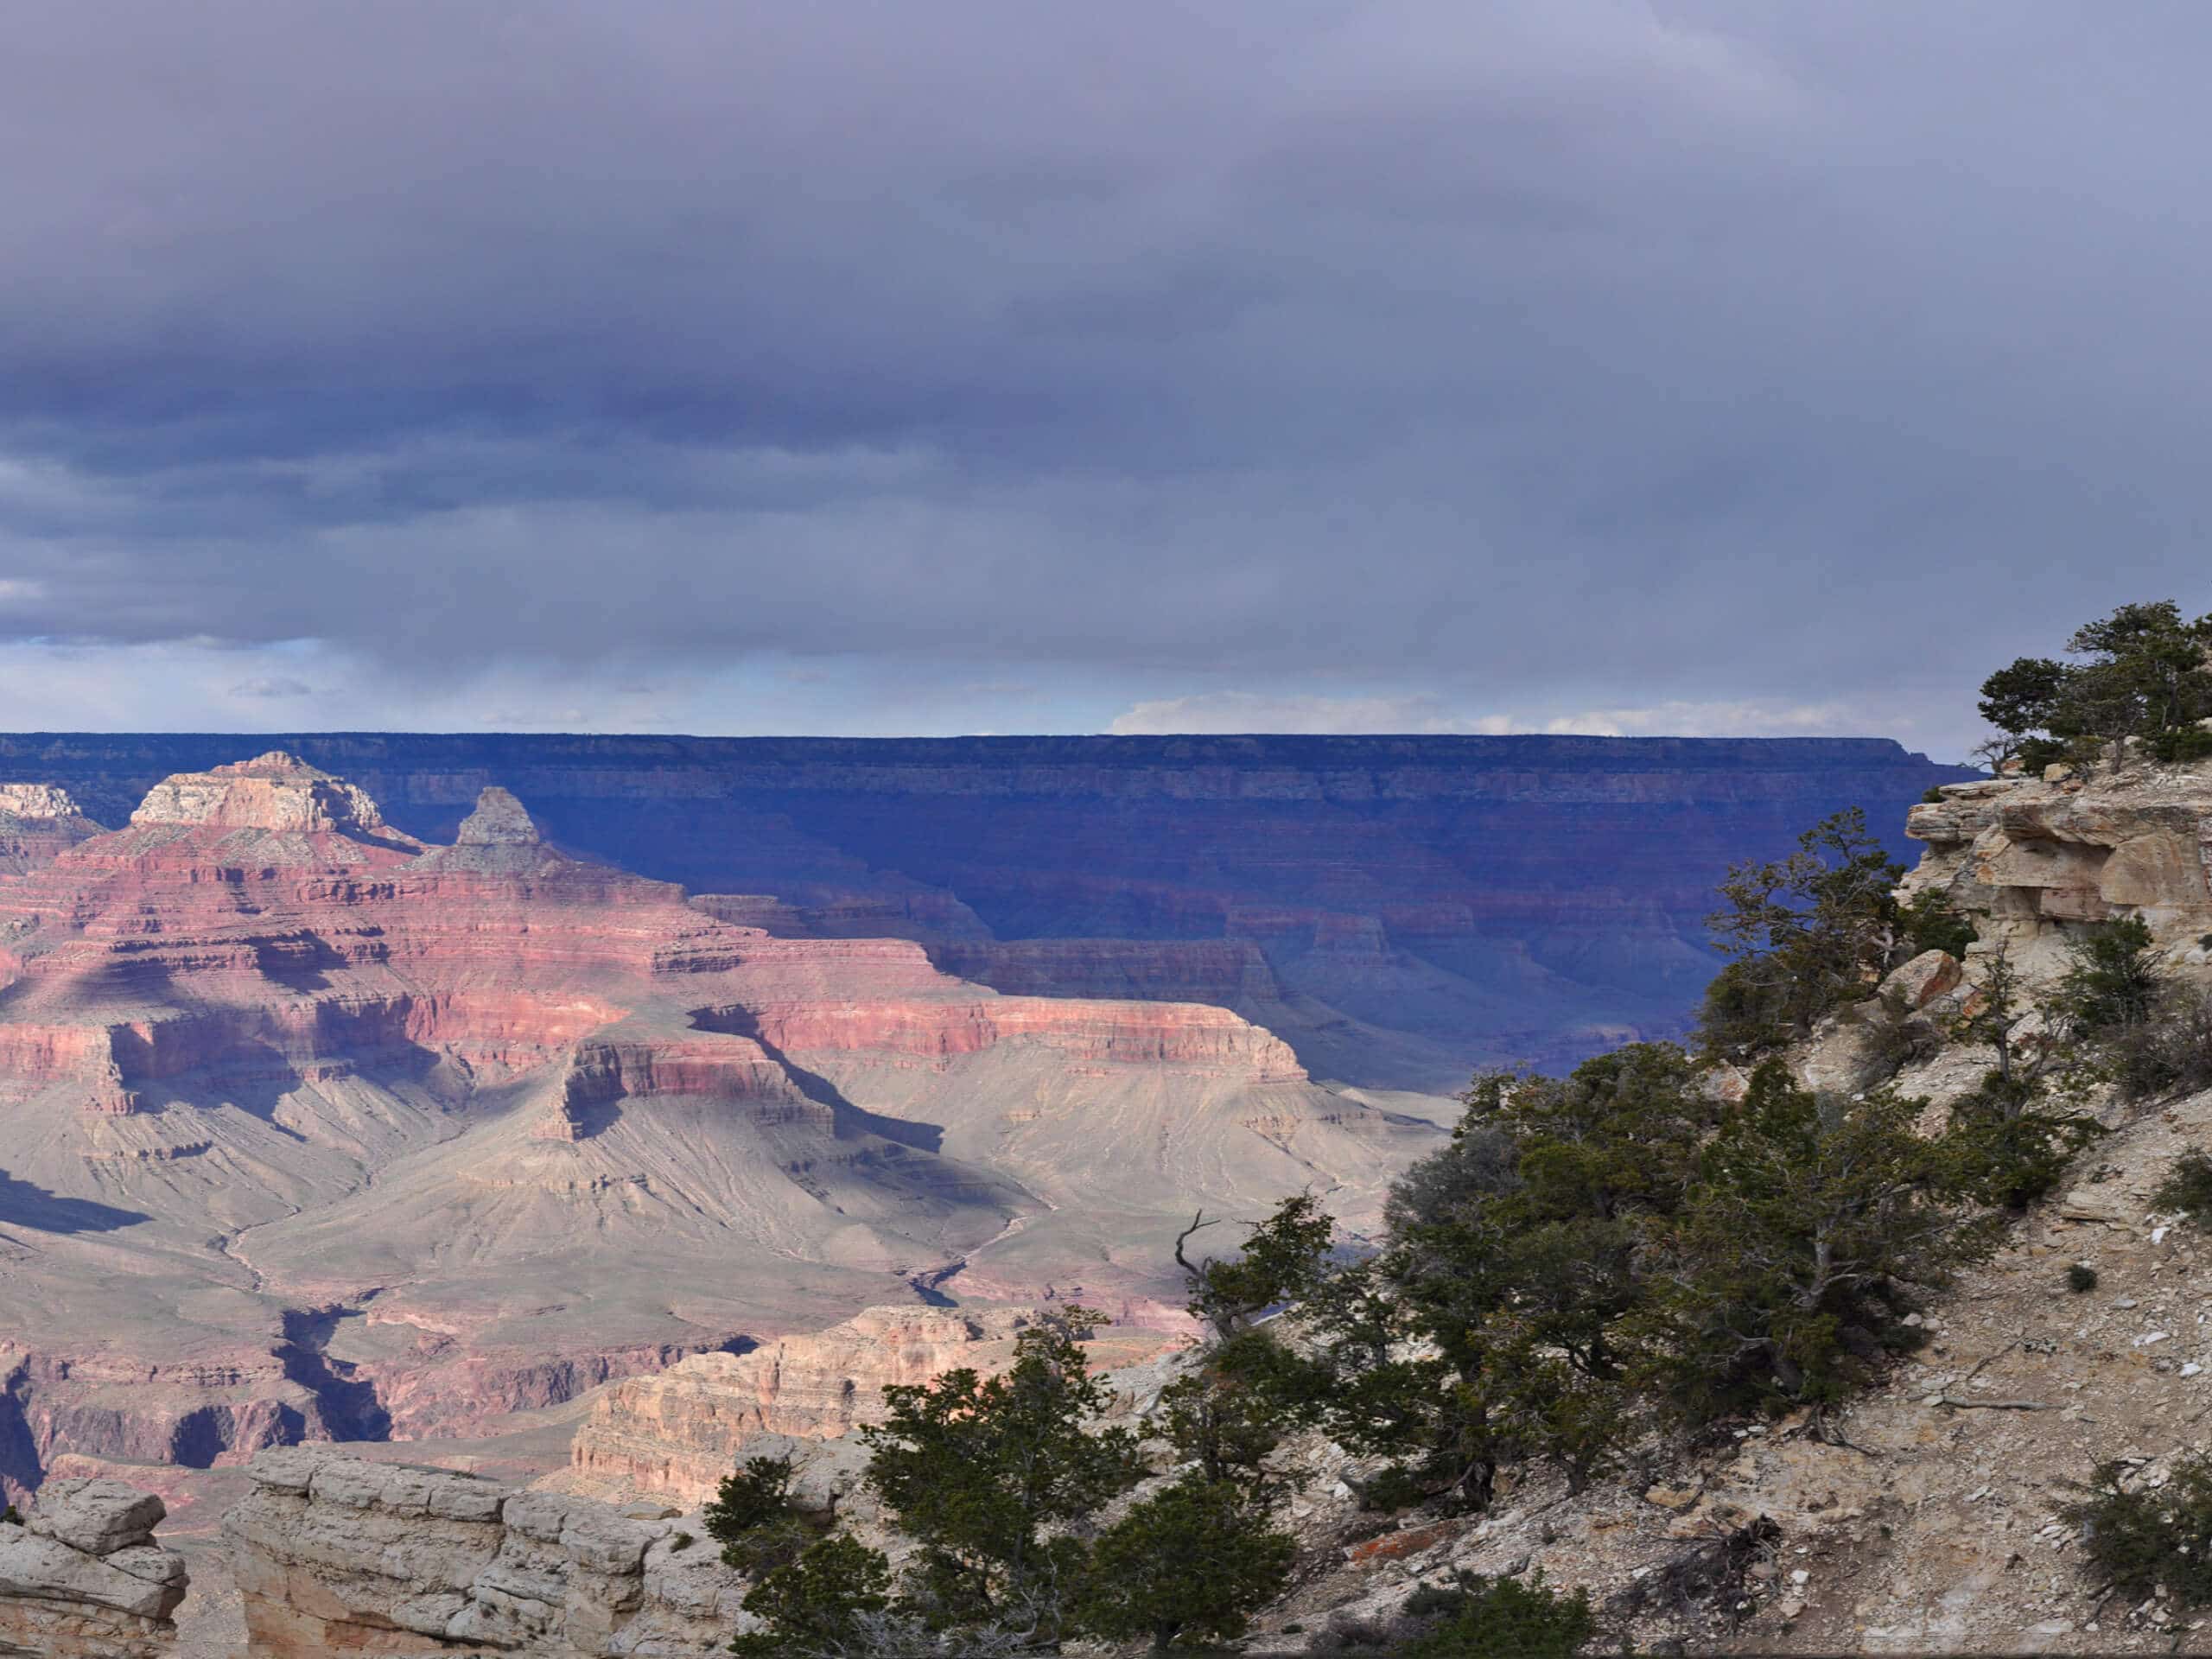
2036, 862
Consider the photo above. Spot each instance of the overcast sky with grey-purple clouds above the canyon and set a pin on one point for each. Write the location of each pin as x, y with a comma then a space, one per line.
985, 366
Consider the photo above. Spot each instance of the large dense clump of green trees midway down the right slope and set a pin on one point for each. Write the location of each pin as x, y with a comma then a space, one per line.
1607, 1244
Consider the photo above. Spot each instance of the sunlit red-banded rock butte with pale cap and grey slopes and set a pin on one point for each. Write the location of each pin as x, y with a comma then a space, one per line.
311, 1129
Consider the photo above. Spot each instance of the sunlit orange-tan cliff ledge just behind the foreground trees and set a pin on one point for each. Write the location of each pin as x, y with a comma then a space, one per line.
685, 1430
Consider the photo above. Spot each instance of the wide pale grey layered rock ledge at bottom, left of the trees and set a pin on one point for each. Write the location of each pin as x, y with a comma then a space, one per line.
344, 1556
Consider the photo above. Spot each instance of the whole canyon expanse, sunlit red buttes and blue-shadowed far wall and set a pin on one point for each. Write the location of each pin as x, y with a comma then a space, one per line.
393, 1107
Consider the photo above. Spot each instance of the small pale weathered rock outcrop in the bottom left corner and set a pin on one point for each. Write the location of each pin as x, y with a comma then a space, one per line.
83, 1578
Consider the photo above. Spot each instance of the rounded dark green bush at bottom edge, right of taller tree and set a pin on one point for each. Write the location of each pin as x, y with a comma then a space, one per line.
1191, 1563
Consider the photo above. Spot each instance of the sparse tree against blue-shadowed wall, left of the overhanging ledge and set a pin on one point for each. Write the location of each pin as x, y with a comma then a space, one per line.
1802, 937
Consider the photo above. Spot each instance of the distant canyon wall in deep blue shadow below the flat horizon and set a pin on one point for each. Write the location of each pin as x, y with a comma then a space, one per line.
1395, 908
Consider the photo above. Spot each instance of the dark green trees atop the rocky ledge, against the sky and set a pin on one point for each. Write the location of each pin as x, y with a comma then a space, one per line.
2138, 674
